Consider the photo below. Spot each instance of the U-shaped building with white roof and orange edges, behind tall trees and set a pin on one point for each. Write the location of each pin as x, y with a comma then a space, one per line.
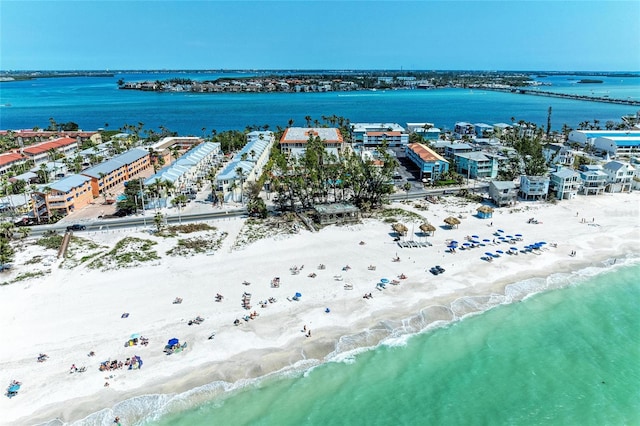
294, 140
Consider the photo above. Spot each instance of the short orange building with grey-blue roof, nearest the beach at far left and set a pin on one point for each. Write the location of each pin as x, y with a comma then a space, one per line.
62, 197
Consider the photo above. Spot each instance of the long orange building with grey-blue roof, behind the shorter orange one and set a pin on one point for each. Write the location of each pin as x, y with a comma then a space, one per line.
118, 170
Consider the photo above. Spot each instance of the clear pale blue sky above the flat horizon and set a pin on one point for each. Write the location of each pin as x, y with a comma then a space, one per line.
297, 34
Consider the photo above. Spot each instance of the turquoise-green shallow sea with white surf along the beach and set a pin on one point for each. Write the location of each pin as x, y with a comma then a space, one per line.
565, 355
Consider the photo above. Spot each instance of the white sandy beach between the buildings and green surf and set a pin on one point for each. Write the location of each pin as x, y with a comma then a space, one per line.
71, 312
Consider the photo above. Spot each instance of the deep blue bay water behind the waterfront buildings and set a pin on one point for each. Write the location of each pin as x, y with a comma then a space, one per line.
96, 102
